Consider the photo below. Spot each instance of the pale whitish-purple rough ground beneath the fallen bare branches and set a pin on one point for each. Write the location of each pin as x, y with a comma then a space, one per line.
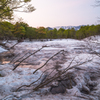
81, 81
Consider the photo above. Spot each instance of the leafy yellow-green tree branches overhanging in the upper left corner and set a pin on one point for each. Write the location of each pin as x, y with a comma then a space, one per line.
7, 7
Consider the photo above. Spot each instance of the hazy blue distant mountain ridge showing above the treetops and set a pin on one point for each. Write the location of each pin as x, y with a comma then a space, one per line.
65, 27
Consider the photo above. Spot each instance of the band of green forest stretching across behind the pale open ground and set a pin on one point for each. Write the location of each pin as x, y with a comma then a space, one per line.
21, 30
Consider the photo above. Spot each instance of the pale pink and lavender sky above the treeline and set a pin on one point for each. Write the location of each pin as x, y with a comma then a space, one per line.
52, 13
